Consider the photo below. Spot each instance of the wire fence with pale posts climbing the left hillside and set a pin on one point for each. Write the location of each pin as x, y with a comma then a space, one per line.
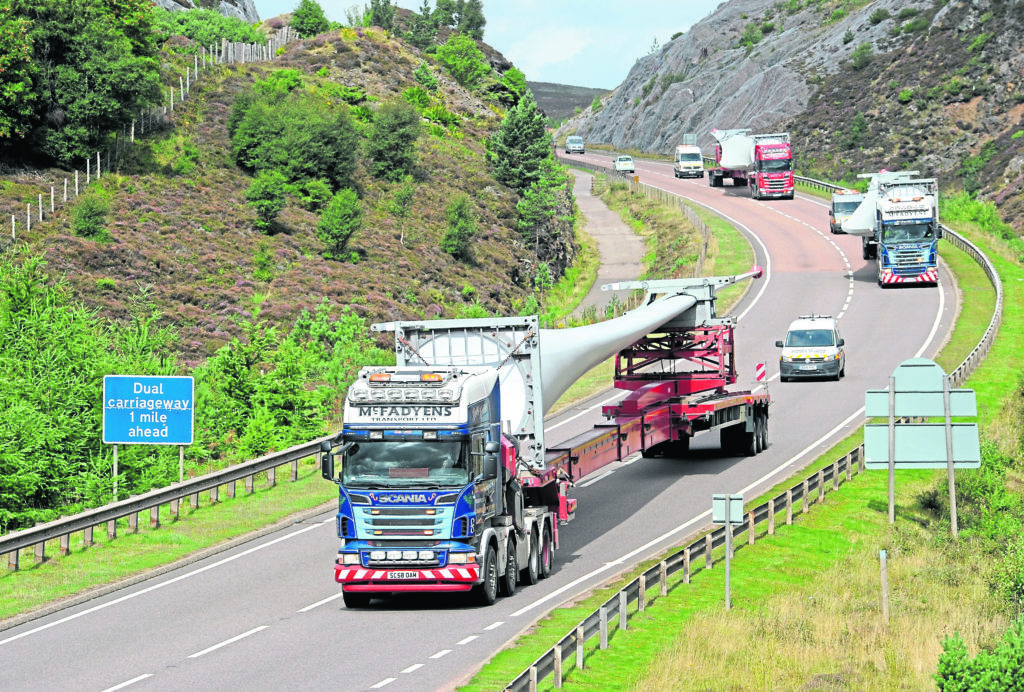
53, 198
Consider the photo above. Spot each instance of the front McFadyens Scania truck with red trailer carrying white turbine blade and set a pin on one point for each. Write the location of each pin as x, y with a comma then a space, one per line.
446, 484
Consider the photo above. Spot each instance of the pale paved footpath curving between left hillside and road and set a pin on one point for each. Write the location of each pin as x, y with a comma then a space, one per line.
622, 250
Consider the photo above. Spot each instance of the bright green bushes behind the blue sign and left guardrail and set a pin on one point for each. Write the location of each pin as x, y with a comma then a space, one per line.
253, 397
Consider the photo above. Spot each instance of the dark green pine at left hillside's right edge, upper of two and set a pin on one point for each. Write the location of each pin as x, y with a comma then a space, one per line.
521, 146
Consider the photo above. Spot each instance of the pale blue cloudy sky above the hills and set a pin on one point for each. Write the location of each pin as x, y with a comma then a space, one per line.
590, 44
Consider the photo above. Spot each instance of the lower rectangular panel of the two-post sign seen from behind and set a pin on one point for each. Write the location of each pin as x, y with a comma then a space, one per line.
922, 446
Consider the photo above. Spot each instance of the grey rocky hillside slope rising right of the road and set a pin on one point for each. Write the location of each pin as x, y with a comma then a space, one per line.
927, 85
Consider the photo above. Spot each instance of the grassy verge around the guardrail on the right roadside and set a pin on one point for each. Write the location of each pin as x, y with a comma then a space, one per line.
806, 604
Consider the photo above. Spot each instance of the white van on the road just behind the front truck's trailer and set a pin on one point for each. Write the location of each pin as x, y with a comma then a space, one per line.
813, 349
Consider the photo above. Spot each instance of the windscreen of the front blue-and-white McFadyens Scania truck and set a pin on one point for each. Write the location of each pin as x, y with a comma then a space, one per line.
406, 464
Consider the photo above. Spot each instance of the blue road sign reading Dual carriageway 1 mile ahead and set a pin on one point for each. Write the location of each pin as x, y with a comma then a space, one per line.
144, 410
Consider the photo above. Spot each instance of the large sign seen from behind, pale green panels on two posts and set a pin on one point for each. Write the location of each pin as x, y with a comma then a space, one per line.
919, 388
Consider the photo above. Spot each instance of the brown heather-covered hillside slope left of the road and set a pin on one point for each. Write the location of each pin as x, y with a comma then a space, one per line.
182, 234
